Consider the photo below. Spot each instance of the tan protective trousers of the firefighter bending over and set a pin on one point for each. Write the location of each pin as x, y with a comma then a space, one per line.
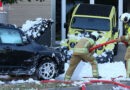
75, 59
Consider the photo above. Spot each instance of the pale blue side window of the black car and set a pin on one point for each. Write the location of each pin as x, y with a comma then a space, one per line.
10, 36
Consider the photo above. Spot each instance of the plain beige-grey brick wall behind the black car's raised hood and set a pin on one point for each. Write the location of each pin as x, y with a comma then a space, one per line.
20, 12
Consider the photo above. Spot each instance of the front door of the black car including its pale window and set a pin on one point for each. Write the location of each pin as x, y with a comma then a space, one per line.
13, 52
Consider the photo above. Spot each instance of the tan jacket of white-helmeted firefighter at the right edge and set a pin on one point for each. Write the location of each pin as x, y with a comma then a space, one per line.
127, 39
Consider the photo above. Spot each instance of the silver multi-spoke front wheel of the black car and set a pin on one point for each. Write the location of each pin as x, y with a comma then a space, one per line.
47, 69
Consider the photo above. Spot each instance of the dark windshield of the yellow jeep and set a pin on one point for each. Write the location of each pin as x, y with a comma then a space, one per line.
90, 23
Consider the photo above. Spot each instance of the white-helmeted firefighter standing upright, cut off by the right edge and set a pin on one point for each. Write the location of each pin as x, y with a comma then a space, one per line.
126, 20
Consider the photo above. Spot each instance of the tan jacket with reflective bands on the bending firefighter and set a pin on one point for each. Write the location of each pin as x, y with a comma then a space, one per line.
83, 46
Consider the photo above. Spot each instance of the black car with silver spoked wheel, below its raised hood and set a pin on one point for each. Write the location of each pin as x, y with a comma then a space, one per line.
19, 55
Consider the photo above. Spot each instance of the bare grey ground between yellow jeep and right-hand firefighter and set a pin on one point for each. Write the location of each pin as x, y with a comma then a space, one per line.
121, 52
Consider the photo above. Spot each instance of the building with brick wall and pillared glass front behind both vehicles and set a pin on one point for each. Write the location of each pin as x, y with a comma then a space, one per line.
59, 11
